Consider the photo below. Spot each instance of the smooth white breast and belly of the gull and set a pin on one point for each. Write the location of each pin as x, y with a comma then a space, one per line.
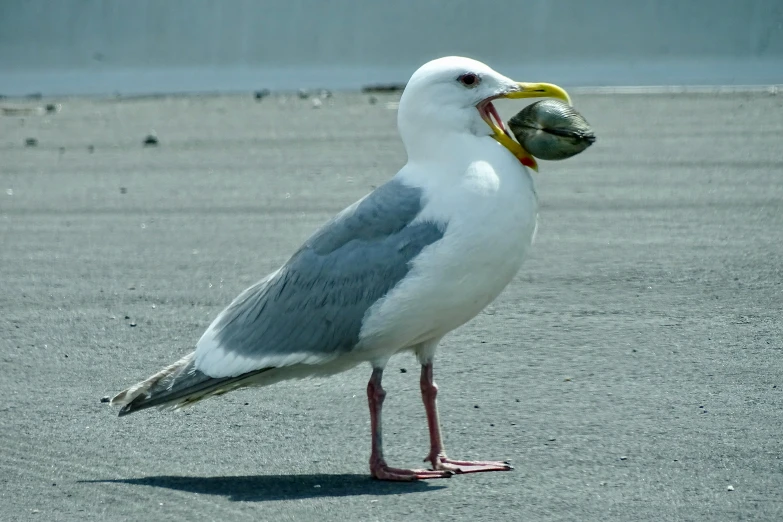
490, 206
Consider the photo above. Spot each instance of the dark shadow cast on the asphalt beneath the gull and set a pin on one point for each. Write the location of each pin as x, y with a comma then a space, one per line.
261, 488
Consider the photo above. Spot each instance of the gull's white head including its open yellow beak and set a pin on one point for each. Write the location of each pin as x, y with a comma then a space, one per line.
454, 95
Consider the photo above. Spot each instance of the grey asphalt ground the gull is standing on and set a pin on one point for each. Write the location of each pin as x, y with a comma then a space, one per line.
632, 371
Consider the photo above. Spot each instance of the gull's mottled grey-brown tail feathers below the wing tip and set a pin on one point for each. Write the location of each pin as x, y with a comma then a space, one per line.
177, 385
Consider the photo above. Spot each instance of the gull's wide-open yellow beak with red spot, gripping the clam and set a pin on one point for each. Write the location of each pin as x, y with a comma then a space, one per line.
524, 90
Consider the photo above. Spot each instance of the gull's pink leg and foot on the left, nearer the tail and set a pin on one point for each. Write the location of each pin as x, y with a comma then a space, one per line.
378, 467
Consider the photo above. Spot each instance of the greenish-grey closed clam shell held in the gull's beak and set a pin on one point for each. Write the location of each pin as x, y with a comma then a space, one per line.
551, 130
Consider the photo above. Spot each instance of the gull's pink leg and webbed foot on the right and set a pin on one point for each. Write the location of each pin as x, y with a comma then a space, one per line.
437, 456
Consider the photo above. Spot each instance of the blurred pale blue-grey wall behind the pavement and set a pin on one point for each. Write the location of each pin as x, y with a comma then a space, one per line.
150, 46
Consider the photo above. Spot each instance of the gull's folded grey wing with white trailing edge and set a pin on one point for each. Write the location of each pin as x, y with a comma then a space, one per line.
311, 309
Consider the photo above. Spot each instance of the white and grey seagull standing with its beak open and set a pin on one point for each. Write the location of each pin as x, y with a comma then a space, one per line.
395, 272
